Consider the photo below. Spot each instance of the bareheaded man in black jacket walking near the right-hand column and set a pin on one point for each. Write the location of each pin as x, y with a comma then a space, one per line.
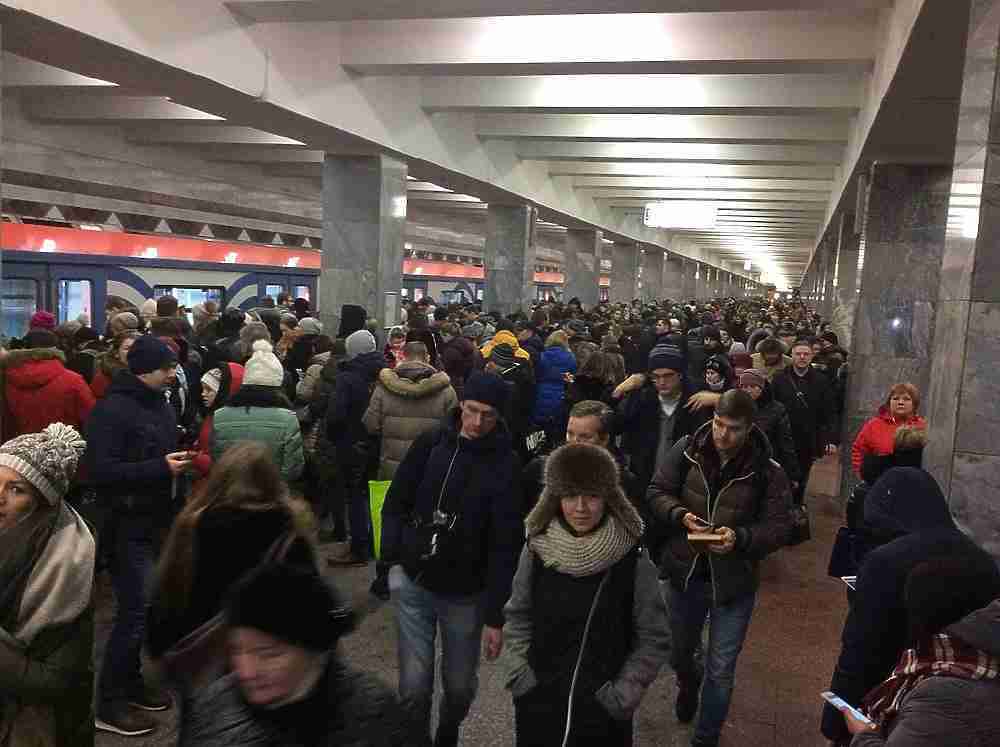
808, 397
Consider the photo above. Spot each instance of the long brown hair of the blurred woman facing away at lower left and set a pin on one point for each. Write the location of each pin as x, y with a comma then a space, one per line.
245, 478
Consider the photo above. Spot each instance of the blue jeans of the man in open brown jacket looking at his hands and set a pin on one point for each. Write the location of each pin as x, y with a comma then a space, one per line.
727, 630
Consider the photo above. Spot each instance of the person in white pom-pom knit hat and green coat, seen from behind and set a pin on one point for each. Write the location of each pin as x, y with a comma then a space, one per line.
260, 411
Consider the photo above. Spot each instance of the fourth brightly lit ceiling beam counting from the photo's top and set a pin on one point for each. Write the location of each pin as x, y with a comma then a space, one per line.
553, 150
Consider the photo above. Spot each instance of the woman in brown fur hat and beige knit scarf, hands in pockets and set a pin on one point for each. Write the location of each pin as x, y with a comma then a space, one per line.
586, 627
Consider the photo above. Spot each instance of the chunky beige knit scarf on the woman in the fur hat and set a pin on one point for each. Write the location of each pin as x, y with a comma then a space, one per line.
583, 556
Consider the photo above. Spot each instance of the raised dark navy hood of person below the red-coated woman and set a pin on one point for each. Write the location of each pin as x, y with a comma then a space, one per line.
906, 500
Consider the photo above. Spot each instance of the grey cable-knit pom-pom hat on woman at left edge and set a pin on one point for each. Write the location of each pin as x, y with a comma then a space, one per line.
47, 460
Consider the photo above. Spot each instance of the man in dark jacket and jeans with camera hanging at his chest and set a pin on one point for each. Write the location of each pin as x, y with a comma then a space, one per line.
452, 532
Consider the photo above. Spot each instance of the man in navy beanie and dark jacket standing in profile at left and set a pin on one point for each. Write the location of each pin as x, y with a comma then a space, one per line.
131, 437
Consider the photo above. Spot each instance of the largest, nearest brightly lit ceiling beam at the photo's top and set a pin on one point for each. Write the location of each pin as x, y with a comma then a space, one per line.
687, 43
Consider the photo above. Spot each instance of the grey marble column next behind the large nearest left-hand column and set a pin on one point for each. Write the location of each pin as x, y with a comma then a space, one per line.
509, 258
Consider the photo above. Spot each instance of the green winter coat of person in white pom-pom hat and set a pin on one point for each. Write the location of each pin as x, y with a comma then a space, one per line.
276, 427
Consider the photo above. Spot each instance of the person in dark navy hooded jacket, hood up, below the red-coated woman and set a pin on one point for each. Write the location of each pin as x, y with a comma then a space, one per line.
907, 508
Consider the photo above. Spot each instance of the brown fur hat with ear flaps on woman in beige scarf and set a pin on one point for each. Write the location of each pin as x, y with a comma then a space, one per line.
582, 469
